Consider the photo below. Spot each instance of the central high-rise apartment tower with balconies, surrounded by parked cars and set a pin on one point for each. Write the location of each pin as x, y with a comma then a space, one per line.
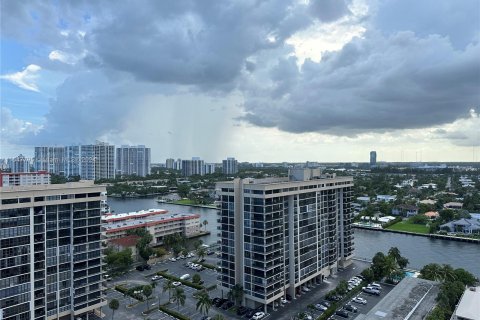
279, 234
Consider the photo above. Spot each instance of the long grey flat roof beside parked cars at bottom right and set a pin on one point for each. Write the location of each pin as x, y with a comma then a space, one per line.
411, 299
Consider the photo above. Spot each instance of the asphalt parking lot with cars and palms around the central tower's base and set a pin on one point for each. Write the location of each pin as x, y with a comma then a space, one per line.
179, 268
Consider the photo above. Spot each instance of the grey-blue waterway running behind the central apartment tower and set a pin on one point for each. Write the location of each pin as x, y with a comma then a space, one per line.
419, 250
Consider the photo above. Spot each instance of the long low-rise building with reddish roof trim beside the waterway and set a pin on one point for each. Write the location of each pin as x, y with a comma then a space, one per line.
158, 225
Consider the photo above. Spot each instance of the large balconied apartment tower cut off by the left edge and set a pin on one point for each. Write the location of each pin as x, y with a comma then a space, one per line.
50, 251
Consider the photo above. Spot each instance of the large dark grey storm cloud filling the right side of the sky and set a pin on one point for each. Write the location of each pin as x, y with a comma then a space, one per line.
373, 84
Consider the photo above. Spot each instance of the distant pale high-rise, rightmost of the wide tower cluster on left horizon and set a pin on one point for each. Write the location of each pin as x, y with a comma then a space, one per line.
133, 160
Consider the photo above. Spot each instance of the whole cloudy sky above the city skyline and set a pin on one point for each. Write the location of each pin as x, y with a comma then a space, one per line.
262, 81
